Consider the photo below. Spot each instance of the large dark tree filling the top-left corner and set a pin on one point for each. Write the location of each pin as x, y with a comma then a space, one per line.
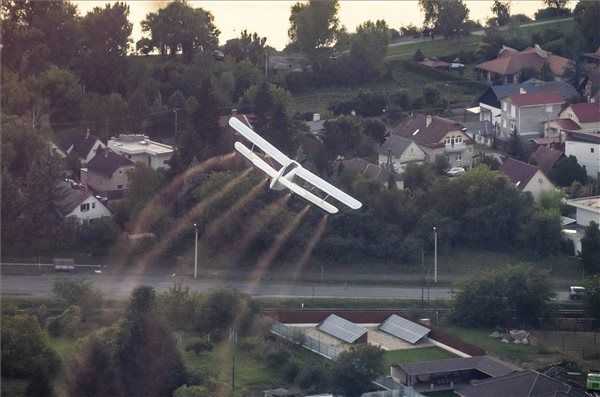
38, 33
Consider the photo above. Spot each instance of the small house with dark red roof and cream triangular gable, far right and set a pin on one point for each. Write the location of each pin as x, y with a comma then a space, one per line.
526, 177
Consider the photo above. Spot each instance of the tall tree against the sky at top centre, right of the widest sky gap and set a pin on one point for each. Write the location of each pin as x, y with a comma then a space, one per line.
313, 27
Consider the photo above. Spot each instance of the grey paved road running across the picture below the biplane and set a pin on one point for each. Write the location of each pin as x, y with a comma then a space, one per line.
121, 287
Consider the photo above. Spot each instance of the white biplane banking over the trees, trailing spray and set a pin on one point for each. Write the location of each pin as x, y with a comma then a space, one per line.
284, 177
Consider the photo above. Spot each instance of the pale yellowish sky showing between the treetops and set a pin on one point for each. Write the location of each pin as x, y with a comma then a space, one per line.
269, 18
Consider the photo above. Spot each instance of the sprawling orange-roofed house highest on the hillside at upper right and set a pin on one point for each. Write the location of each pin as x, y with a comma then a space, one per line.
508, 67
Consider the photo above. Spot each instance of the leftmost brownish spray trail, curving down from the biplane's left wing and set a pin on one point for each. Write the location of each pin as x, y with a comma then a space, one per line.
145, 219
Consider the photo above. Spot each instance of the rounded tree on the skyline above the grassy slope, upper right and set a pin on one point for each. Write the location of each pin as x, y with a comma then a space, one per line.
446, 17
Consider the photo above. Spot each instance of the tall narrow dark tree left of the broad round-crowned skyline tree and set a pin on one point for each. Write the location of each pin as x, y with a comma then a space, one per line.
103, 62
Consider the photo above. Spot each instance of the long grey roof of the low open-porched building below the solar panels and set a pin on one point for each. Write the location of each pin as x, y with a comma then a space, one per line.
485, 364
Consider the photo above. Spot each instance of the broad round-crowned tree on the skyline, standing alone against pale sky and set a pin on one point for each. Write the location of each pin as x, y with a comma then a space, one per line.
179, 28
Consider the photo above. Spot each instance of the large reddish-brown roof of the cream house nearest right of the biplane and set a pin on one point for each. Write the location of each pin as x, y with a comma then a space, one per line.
416, 129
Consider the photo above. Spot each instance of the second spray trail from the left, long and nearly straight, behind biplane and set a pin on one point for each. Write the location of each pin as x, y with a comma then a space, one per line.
185, 222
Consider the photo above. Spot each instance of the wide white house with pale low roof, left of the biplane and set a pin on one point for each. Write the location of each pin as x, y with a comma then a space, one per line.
140, 149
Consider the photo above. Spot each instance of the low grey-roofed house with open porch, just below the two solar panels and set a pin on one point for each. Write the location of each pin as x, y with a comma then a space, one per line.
451, 373
